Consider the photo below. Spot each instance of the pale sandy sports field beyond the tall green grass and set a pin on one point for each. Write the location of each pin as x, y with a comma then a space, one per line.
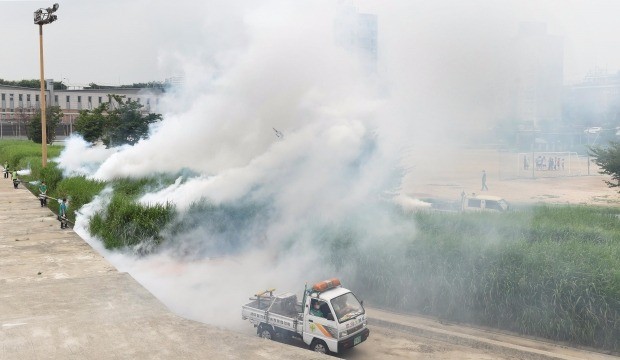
445, 175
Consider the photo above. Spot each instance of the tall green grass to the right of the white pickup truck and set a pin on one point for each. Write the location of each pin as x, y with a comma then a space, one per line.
548, 271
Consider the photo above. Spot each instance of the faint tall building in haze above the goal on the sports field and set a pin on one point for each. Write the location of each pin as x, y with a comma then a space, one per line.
538, 77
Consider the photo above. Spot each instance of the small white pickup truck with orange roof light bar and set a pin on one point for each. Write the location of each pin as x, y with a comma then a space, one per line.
328, 319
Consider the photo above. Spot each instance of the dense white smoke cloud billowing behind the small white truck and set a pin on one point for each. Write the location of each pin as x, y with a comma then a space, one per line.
282, 72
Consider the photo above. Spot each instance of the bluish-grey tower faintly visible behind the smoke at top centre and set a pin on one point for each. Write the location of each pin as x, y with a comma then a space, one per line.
357, 32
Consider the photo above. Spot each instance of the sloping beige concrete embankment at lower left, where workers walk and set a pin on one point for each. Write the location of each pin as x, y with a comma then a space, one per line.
59, 299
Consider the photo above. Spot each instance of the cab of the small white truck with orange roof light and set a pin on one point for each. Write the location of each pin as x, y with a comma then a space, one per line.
340, 322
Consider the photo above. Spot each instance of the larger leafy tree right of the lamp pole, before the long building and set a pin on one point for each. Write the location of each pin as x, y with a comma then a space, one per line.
115, 125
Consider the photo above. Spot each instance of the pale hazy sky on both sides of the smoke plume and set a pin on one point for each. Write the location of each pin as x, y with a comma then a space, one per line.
125, 41
